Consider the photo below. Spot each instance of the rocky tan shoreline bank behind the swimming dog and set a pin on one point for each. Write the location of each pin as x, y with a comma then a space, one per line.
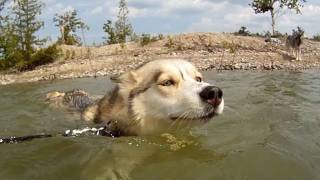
208, 51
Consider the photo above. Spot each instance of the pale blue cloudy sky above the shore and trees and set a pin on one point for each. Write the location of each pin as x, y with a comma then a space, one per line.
179, 16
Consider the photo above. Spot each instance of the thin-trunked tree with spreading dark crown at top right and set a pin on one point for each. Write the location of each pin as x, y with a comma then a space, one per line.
274, 7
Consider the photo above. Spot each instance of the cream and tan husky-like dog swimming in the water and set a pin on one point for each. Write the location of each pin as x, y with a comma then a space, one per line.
153, 98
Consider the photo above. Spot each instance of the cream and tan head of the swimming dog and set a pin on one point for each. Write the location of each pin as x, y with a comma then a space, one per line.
166, 91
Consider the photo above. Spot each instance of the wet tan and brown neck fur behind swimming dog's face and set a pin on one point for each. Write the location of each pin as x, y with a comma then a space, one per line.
121, 116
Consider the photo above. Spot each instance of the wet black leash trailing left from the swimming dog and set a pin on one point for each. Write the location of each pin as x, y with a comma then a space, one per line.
102, 131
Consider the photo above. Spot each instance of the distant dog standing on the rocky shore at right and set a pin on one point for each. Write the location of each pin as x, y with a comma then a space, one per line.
294, 42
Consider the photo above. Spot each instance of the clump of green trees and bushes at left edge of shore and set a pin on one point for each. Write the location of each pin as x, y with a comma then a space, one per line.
19, 45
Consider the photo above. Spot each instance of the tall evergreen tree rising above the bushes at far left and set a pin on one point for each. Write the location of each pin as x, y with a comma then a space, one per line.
26, 25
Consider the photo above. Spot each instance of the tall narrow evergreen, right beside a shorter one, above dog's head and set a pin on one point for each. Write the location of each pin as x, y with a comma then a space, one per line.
123, 27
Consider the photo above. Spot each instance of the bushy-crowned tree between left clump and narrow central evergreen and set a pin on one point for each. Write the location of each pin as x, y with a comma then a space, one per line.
68, 24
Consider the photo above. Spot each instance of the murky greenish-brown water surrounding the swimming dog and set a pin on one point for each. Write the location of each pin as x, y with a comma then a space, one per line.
270, 130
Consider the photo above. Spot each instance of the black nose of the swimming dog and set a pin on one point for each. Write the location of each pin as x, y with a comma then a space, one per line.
212, 95
